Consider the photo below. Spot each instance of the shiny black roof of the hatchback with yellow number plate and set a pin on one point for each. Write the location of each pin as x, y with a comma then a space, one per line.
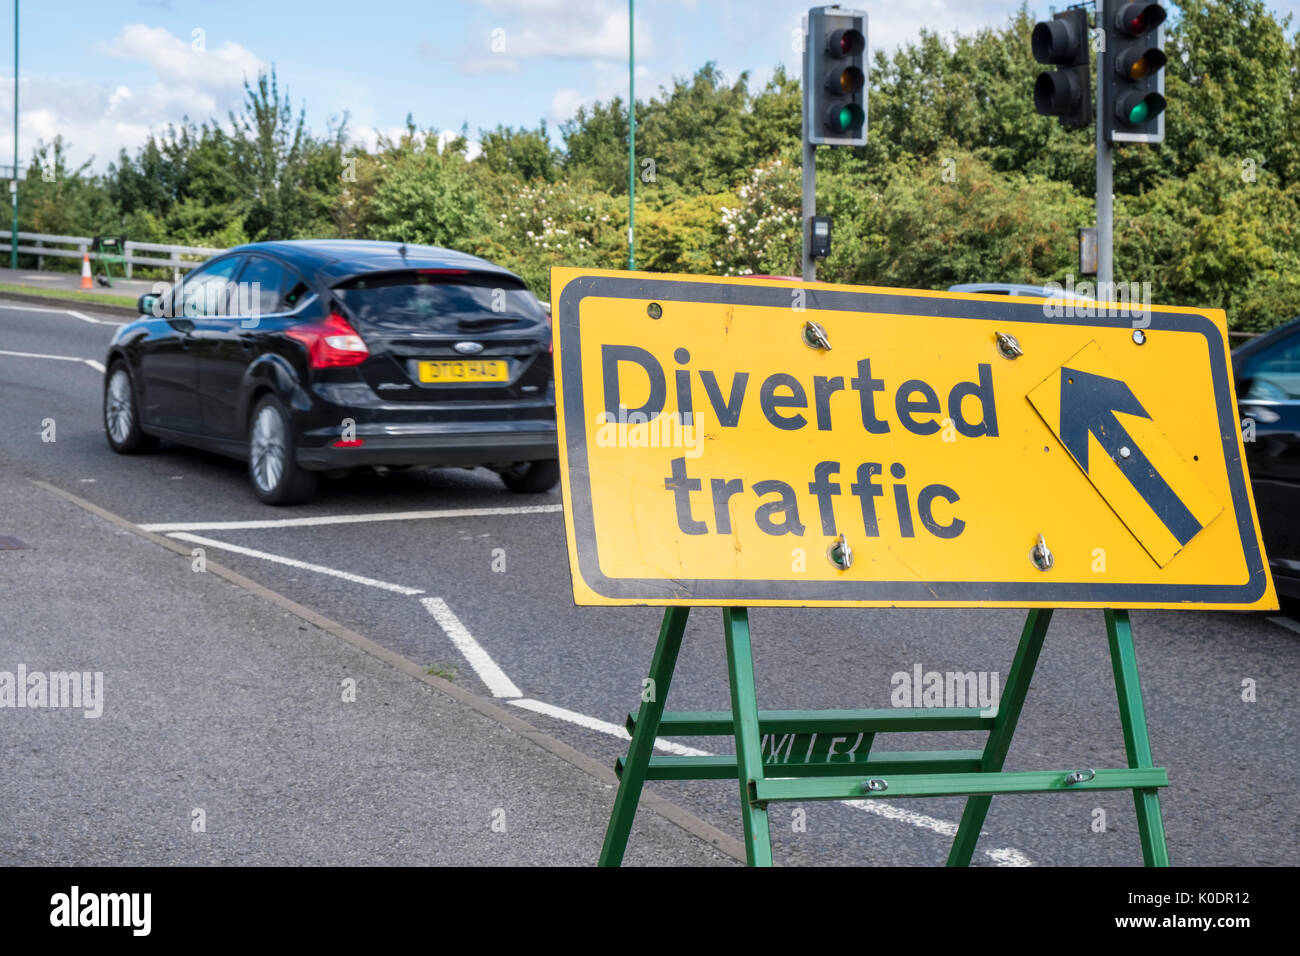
341, 259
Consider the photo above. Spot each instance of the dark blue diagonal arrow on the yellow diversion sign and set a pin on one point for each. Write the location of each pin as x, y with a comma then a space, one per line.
1089, 406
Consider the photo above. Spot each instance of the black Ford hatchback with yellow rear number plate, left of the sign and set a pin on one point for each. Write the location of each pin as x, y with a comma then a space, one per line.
309, 357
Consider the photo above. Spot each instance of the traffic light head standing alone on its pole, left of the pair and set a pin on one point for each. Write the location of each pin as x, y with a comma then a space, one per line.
835, 77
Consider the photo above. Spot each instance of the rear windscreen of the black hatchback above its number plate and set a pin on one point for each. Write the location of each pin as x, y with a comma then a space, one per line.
439, 302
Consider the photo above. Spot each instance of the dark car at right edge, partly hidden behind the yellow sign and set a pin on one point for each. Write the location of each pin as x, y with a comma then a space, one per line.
1268, 386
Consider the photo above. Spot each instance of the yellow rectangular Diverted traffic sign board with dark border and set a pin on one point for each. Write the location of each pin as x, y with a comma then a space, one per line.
735, 442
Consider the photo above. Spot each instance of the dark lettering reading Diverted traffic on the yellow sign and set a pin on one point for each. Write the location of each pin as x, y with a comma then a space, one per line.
704, 504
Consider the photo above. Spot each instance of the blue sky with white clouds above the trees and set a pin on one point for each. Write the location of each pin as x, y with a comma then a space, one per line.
106, 73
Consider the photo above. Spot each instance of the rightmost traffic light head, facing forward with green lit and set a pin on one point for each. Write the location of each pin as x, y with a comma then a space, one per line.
1134, 92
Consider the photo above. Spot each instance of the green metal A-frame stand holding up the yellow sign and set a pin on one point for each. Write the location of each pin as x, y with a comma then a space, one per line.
813, 769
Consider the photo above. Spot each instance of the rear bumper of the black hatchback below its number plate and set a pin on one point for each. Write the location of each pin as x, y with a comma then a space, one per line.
432, 445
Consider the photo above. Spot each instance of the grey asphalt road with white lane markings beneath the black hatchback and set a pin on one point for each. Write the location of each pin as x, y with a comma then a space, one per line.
487, 598
